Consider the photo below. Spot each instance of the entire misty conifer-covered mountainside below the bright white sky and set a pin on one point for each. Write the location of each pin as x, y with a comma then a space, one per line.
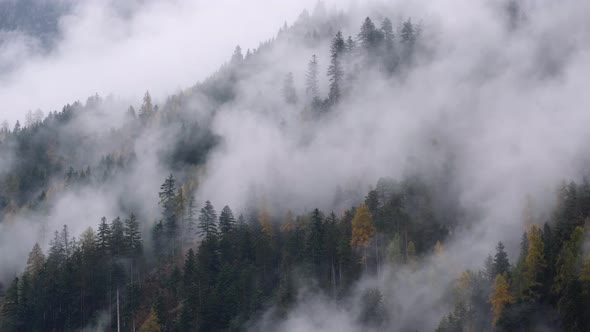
308, 185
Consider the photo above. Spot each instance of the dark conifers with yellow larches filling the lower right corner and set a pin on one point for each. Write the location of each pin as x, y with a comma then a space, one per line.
547, 287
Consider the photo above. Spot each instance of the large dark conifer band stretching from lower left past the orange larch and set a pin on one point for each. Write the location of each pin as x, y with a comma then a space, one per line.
239, 266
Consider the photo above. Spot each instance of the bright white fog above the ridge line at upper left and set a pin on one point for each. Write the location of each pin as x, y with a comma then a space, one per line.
128, 47
